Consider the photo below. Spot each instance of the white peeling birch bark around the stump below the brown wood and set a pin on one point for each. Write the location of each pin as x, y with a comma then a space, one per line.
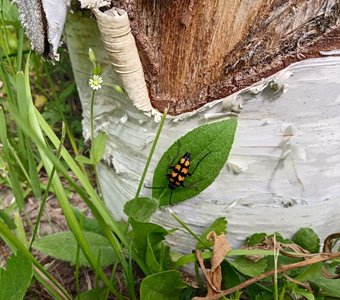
284, 168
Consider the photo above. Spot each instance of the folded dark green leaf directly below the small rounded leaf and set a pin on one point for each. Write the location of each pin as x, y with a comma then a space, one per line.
147, 239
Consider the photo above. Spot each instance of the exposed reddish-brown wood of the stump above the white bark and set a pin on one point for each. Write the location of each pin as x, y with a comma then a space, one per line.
197, 51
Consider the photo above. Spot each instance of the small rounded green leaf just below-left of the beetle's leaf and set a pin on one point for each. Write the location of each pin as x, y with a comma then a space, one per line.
141, 209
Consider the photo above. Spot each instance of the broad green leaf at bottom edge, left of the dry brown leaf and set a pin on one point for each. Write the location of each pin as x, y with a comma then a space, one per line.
162, 286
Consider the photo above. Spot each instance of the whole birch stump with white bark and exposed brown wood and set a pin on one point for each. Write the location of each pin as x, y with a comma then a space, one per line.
283, 172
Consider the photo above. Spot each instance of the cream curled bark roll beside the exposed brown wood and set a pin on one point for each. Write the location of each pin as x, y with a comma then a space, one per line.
120, 45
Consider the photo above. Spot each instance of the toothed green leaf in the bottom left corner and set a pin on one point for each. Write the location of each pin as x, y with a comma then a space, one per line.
15, 280
